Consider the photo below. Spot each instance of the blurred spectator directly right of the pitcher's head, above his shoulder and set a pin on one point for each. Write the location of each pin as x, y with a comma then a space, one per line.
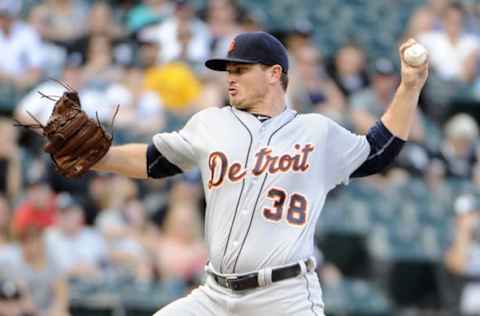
311, 90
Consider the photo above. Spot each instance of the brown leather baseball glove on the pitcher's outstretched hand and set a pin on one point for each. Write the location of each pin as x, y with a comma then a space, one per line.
75, 141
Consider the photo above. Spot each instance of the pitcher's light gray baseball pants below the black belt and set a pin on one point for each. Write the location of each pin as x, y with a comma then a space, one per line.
299, 296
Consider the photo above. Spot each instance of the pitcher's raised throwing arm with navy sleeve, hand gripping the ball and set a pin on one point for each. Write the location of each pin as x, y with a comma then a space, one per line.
387, 136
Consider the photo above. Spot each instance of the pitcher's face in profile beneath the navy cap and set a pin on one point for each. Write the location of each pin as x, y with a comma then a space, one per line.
247, 85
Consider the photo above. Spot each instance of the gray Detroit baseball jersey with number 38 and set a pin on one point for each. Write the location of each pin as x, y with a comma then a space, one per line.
265, 183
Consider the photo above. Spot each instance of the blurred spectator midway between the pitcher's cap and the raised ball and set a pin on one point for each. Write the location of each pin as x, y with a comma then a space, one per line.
349, 69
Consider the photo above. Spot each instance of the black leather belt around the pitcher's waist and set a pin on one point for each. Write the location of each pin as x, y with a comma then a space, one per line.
250, 281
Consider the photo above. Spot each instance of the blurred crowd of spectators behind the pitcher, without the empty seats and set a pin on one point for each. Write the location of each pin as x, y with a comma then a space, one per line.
147, 57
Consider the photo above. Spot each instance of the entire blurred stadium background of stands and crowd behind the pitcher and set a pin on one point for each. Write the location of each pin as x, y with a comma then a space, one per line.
406, 242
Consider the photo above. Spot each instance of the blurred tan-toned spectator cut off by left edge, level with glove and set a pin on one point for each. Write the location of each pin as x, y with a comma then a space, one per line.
10, 162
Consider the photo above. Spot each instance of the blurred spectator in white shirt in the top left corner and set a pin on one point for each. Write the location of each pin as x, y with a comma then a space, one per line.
21, 54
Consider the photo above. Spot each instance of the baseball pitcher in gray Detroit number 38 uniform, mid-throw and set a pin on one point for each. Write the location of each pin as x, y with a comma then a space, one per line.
266, 172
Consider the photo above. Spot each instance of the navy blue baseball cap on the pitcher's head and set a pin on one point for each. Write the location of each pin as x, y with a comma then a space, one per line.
252, 48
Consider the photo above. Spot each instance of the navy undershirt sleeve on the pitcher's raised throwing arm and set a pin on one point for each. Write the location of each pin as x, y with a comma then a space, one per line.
384, 148
